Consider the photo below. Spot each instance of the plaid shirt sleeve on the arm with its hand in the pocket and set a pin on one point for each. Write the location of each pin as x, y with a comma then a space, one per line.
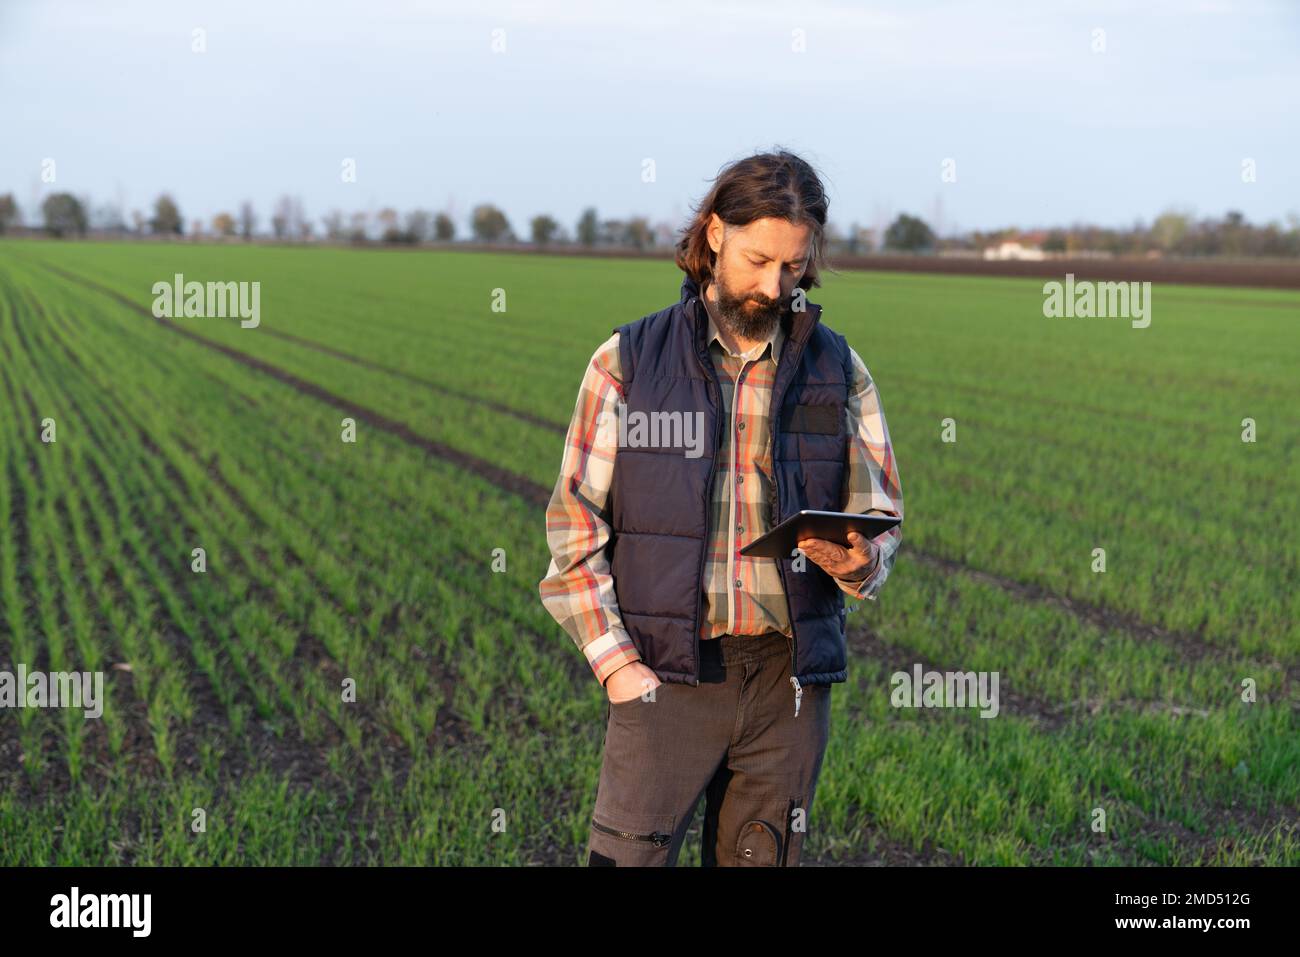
579, 586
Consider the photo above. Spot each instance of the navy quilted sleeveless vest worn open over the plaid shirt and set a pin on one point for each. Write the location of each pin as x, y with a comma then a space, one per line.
661, 497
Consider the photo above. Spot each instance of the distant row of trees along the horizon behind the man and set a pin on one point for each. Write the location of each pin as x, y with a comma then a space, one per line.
1173, 233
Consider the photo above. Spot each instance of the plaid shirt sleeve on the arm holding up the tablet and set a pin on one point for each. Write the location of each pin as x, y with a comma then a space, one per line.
872, 482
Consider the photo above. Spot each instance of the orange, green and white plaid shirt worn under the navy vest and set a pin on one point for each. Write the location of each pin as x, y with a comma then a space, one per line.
743, 596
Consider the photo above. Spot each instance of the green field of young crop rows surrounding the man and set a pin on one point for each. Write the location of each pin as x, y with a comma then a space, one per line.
1162, 694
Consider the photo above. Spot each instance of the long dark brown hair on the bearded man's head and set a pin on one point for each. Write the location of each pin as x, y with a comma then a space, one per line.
777, 185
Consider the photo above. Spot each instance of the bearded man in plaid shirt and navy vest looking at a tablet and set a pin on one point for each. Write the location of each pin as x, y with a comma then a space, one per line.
717, 666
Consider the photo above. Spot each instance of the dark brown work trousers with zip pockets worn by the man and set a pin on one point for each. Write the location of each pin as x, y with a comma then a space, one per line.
735, 741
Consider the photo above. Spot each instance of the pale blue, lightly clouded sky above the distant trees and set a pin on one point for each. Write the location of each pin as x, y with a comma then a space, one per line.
1043, 129
